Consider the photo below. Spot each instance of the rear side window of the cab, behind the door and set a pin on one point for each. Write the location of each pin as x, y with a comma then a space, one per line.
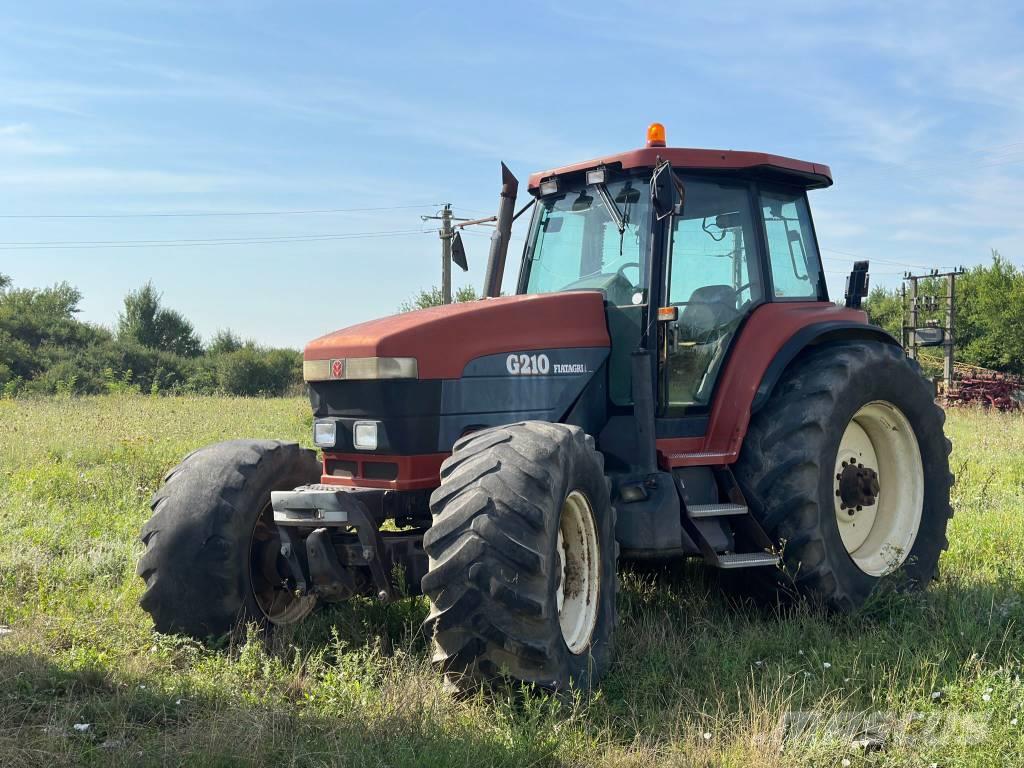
792, 250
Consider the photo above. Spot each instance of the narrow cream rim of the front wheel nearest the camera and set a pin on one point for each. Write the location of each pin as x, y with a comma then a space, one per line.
579, 584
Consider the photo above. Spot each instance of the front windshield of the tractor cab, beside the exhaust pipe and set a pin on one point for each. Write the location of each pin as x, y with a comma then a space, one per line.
579, 242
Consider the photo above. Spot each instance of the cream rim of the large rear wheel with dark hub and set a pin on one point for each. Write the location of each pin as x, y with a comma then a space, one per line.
879, 484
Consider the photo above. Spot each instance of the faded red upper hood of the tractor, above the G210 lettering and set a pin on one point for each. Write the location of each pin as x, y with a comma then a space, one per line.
445, 339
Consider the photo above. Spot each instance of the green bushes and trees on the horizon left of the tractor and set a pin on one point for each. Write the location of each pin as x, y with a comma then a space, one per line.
47, 350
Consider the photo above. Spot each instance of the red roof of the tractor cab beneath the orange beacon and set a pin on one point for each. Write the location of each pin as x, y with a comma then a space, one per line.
773, 167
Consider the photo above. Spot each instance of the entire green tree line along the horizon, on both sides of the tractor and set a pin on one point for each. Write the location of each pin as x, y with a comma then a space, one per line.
45, 349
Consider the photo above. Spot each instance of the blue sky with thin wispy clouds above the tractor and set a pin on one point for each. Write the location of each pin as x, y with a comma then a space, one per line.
147, 107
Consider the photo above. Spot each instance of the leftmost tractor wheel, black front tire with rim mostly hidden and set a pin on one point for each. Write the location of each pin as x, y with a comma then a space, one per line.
212, 553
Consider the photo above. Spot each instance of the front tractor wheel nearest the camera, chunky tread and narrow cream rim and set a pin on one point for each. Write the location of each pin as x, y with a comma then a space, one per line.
523, 559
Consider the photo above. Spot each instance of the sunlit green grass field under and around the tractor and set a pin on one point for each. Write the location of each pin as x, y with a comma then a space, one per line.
697, 681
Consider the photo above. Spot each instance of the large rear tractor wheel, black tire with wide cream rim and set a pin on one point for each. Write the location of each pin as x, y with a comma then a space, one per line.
847, 466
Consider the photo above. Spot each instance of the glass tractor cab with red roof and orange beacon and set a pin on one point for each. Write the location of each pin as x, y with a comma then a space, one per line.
736, 233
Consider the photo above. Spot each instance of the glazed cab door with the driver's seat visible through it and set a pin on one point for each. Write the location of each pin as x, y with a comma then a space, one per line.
714, 279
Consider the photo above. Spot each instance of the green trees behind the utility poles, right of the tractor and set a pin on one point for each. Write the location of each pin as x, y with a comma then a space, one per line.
989, 328
